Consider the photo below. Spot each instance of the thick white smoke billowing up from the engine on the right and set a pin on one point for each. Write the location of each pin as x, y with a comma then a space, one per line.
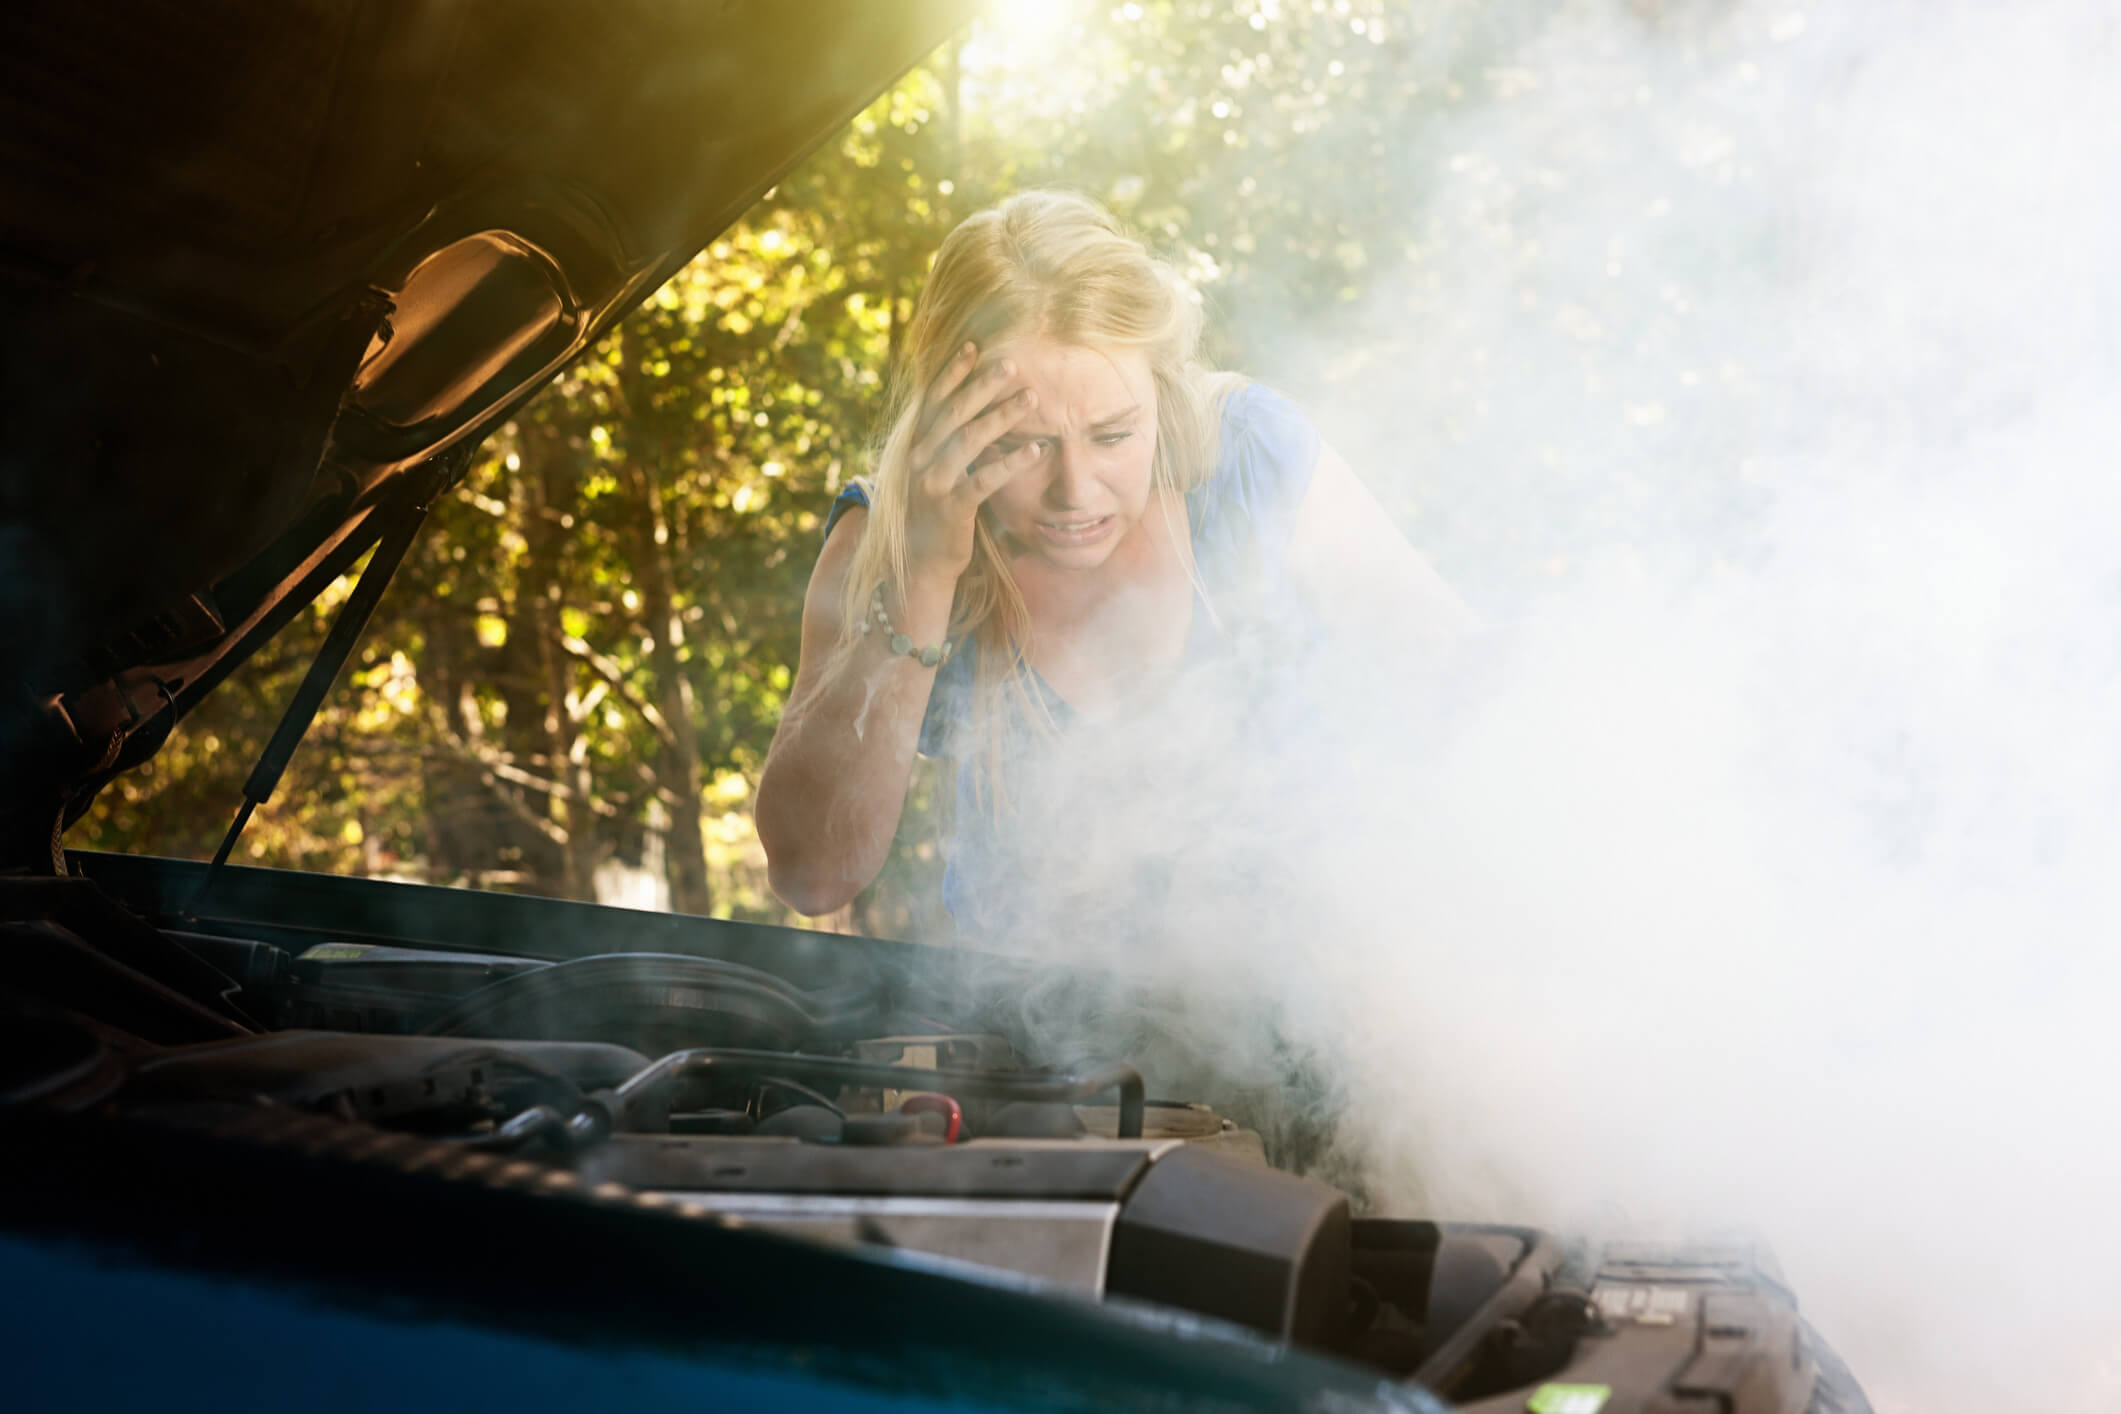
1764, 872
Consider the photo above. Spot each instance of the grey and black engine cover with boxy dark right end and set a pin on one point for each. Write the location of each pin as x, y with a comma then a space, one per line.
1159, 1220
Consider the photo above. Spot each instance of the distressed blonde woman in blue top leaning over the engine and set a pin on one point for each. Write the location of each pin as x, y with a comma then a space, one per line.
1066, 512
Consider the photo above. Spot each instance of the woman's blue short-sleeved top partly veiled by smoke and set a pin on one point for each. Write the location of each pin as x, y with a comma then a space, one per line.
1240, 523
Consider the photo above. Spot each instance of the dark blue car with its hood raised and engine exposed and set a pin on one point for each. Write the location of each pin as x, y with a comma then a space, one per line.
279, 1139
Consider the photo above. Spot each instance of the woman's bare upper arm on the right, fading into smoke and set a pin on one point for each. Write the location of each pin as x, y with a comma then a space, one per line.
1361, 576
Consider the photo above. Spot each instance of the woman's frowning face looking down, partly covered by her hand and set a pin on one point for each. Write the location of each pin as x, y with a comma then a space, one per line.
1091, 444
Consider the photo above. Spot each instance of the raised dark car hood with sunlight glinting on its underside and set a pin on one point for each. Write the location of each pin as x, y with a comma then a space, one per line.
277, 266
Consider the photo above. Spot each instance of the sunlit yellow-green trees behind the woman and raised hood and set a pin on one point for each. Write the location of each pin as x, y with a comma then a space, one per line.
574, 682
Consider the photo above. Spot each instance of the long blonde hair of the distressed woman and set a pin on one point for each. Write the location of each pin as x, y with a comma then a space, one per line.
1051, 266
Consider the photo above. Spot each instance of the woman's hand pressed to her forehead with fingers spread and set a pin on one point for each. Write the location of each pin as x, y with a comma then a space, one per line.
951, 470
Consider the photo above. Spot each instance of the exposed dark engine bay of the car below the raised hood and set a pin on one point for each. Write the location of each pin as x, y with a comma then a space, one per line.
860, 1108
